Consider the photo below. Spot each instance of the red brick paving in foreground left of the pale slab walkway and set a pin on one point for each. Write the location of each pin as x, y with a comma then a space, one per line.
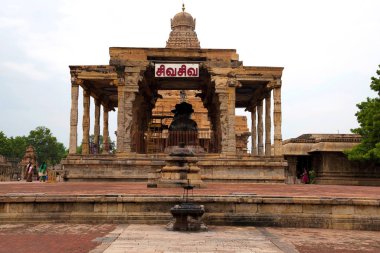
51, 238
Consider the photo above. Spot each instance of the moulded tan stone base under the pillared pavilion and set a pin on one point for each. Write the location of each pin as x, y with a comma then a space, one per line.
137, 168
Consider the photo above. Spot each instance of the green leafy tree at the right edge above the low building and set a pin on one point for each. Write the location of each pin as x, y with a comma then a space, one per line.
368, 117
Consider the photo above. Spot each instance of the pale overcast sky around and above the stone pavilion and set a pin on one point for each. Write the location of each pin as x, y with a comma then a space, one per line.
329, 50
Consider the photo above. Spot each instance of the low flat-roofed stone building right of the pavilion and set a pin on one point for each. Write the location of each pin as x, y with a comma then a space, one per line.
323, 154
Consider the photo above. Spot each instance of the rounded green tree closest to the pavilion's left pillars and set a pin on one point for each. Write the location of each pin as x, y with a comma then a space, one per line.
46, 145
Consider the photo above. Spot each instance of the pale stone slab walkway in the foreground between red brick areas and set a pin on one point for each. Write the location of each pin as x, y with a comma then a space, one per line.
155, 238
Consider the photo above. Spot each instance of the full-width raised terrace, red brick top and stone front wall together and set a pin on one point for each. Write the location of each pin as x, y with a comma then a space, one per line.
311, 206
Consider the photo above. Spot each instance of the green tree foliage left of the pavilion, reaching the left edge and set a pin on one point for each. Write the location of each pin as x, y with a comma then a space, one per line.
46, 145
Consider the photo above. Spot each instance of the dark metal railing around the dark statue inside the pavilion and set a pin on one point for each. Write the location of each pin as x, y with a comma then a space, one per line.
156, 142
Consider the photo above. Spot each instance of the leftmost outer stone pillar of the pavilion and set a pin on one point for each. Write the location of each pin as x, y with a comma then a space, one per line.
74, 116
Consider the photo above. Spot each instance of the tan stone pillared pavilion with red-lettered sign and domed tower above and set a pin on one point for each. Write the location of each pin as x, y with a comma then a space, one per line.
143, 85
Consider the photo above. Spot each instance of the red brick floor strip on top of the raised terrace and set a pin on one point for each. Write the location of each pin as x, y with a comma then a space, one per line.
281, 190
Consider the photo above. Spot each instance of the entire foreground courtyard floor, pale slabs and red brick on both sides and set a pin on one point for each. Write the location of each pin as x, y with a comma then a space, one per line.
111, 238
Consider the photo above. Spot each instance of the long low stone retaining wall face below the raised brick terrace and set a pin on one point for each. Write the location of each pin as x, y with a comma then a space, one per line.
239, 209
